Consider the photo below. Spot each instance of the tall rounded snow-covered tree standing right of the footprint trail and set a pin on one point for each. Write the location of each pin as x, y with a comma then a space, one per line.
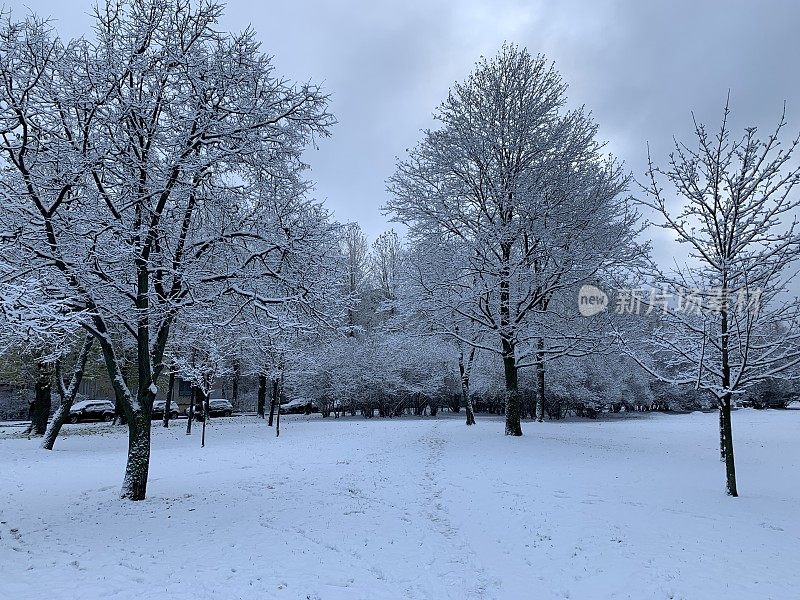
516, 188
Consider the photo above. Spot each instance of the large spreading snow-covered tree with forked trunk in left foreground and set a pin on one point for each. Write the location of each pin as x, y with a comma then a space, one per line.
127, 157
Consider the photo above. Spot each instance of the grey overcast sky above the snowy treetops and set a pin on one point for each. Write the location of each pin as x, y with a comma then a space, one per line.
641, 67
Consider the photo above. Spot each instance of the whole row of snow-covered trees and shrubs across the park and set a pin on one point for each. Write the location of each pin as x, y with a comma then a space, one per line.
157, 212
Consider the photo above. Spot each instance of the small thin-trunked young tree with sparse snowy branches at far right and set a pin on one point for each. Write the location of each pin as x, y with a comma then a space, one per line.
730, 324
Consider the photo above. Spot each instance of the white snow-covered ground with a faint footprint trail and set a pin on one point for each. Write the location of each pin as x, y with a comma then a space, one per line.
424, 508
